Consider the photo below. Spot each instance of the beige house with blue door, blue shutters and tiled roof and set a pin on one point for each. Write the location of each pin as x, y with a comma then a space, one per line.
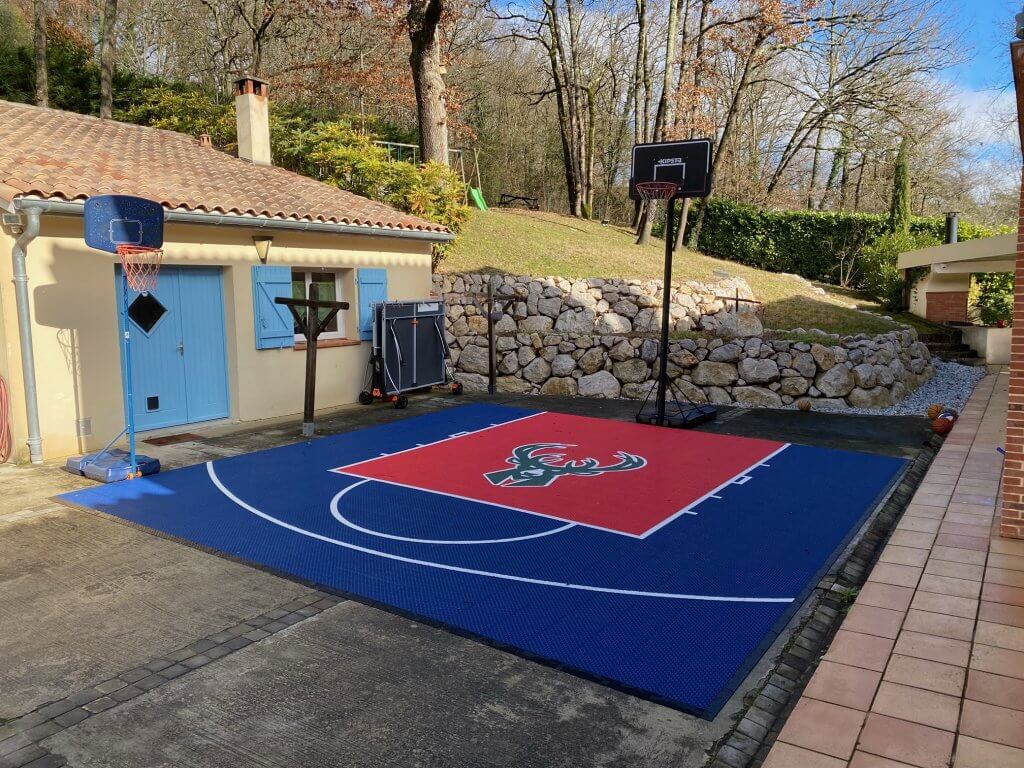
209, 343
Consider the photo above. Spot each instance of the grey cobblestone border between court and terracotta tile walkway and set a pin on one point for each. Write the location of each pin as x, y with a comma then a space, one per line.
747, 746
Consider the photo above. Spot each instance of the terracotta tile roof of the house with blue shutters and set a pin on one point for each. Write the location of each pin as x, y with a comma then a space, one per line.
63, 155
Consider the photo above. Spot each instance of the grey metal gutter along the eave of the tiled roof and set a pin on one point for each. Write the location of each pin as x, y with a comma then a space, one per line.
66, 208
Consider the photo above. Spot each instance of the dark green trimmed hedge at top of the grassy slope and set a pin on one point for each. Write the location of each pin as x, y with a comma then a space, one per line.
817, 245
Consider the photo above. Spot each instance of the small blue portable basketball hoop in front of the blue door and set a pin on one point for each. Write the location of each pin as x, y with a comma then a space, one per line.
133, 229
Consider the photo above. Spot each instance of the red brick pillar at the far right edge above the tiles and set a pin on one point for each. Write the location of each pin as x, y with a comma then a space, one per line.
1012, 523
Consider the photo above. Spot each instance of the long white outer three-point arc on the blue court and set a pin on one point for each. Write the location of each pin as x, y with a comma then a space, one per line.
474, 572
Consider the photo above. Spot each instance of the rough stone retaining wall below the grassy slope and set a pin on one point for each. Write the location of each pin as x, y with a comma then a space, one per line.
598, 338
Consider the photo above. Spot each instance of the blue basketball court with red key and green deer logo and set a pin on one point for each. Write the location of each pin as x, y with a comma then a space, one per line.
657, 561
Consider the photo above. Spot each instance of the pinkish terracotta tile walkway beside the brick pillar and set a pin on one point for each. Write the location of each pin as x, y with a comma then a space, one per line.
928, 668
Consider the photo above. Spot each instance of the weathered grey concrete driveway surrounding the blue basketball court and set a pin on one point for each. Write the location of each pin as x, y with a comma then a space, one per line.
119, 648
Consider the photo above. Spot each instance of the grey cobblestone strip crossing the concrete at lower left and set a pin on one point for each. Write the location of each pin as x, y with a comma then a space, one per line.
20, 739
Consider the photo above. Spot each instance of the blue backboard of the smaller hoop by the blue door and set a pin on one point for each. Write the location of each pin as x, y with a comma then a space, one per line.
113, 221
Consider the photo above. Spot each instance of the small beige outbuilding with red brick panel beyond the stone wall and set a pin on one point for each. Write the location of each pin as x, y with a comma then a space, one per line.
942, 294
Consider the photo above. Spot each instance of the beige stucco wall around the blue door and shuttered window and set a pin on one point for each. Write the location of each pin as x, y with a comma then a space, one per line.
75, 324
